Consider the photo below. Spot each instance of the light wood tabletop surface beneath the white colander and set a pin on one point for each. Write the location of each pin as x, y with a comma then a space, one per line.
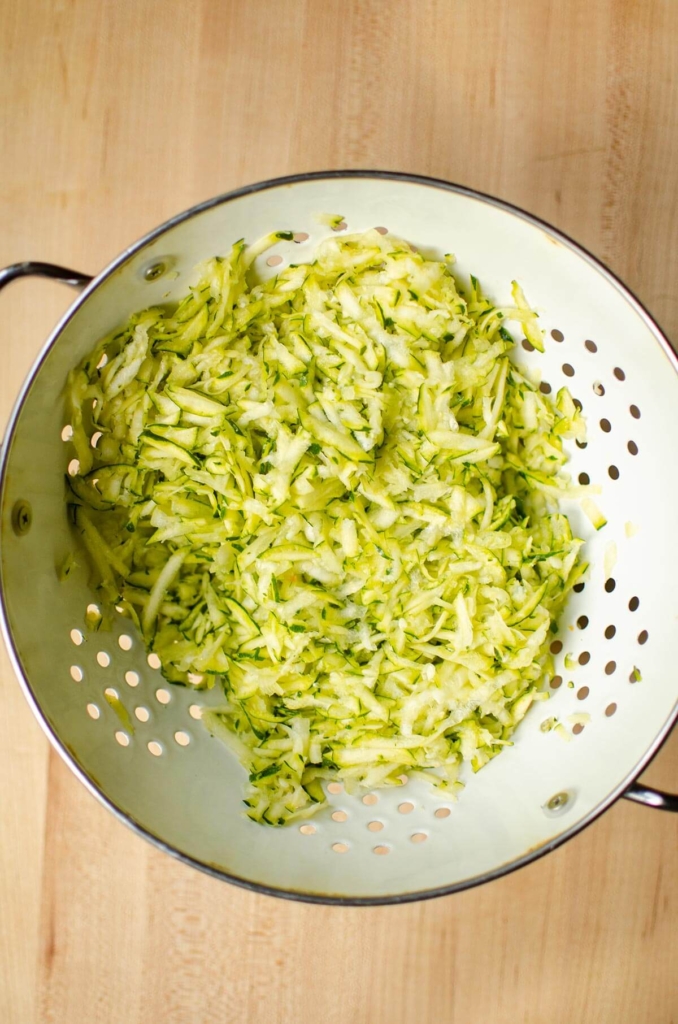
117, 115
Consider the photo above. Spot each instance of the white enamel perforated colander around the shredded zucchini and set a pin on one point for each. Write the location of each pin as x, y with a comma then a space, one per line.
138, 743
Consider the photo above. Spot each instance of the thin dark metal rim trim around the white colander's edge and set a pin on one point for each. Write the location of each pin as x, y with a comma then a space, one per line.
5, 624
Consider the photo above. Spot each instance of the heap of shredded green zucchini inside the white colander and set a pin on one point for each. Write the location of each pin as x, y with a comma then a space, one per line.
334, 496
